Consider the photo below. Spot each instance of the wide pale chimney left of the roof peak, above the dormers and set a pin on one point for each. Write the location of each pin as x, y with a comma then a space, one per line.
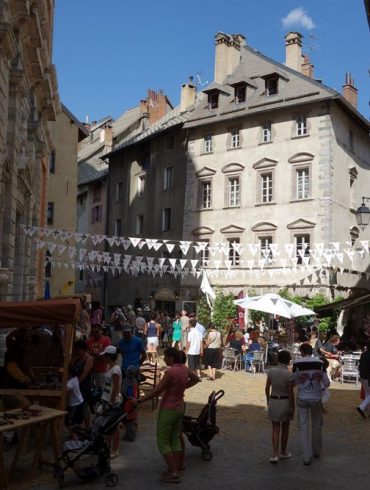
227, 56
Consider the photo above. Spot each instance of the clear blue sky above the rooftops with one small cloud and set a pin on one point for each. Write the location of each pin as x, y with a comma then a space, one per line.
109, 52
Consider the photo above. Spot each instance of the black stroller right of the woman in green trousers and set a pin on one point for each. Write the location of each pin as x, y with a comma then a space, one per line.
200, 431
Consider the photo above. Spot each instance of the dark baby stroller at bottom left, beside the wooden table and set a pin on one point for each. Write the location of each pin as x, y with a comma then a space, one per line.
89, 456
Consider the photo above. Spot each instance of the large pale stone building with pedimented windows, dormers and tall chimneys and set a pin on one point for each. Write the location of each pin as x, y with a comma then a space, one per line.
275, 157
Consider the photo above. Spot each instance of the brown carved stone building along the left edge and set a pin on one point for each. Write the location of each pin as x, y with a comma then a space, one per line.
28, 100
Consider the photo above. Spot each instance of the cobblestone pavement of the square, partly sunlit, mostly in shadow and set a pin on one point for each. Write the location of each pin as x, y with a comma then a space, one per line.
242, 449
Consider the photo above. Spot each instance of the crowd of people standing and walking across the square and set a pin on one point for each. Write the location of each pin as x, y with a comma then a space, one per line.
97, 382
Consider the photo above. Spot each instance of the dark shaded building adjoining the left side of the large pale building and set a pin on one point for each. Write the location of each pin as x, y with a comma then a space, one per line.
151, 171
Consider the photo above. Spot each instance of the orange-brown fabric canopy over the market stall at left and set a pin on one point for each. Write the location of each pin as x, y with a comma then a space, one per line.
35, 313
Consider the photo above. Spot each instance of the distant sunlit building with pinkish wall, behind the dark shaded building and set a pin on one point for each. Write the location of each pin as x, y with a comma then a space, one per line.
93, 204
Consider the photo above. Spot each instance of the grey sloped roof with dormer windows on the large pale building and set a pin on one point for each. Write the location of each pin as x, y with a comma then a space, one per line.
295, 89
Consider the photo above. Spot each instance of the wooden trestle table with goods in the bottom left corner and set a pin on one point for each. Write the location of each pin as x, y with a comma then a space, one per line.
48, 418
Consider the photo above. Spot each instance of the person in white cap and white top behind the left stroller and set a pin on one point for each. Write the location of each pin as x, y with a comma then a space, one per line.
112, 391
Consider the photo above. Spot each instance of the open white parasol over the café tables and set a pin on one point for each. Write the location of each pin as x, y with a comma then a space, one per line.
275, 305
